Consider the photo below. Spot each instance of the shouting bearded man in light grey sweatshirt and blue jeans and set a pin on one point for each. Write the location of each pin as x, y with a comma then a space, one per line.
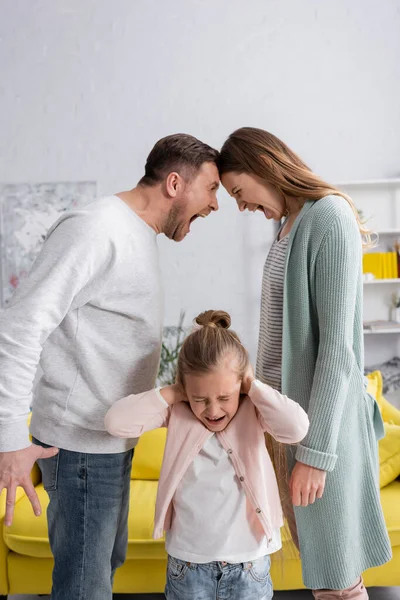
91, 310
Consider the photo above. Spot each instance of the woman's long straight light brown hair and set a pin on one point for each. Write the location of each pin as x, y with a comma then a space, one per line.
258, 152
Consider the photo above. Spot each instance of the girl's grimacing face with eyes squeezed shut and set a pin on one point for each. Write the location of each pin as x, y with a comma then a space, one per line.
214, 396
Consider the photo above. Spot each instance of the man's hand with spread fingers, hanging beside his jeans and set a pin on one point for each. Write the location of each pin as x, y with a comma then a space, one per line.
15, 470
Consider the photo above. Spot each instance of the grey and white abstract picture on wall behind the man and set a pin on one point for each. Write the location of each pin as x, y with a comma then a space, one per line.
27, 211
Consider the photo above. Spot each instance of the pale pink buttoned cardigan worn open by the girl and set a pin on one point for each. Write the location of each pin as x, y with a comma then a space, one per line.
264, 409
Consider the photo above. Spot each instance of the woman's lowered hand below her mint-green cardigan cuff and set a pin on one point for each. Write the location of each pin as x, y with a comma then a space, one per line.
306, 484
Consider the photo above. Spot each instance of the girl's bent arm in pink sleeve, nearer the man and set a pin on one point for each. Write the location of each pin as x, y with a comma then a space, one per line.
130, 417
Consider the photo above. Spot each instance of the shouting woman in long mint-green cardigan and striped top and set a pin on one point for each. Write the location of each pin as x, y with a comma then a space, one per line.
311, 349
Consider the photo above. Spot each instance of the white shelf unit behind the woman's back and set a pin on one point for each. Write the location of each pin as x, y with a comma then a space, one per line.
379, 201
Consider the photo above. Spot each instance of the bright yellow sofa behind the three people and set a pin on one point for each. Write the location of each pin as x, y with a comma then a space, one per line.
26, 561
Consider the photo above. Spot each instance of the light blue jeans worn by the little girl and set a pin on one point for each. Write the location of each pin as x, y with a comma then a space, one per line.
219, 581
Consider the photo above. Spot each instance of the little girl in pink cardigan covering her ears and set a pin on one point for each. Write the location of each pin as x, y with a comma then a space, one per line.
217, 498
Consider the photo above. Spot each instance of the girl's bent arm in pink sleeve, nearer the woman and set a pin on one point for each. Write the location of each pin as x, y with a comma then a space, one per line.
283, 418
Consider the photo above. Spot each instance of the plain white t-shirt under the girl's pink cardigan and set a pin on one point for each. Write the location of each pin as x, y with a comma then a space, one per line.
209, 520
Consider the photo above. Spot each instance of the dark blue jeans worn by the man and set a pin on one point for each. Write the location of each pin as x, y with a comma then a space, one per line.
87, 519
